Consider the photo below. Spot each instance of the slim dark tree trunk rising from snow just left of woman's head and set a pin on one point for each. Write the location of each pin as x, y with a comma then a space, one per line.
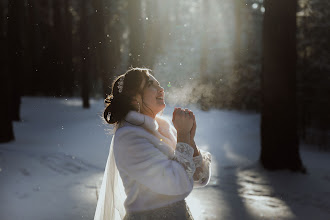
84, 55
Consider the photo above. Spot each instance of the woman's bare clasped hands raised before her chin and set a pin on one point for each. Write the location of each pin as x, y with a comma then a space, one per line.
183, 121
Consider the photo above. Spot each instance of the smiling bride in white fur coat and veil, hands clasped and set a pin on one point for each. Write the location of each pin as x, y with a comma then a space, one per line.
158, 164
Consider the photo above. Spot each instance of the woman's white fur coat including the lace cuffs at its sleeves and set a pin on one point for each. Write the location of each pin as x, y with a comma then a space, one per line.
155, 169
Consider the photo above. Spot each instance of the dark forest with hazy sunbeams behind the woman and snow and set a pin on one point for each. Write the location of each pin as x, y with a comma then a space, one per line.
209, 53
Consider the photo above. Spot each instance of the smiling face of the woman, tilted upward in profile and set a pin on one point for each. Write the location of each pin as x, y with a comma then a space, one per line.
152, 101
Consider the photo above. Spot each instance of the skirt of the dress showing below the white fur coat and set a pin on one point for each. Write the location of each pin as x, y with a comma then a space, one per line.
176, 211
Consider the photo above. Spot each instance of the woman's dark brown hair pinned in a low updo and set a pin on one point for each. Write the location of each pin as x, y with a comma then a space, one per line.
118, 104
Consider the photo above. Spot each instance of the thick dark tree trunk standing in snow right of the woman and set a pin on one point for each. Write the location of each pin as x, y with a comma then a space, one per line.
279, 140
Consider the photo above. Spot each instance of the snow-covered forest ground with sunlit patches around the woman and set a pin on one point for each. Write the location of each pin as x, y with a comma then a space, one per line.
53, 169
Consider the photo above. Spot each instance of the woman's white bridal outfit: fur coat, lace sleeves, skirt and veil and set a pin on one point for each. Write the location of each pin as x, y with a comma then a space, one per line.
148, 175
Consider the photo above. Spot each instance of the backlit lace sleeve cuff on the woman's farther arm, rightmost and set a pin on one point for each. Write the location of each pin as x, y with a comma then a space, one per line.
202, 164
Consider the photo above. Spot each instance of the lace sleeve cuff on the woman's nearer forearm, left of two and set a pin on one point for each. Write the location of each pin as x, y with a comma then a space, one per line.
184, 155
